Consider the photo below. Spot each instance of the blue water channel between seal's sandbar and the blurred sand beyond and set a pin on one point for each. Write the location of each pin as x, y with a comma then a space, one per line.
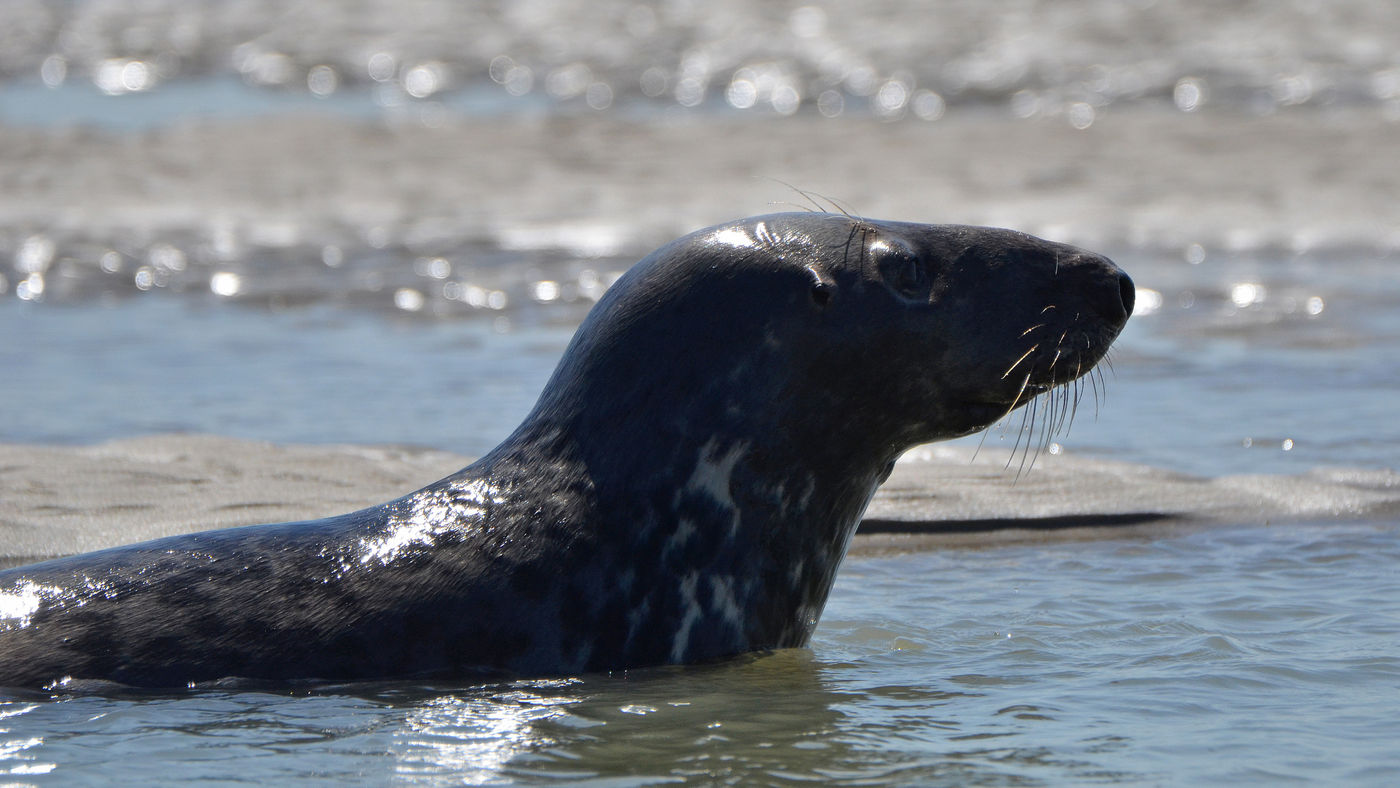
1248, 365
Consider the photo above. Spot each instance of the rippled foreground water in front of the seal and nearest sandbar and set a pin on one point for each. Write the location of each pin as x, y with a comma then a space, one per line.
1234, 656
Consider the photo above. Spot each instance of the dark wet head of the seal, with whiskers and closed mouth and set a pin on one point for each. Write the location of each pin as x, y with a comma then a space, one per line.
871, 335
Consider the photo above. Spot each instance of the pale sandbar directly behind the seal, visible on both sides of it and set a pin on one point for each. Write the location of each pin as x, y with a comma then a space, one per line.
64, 500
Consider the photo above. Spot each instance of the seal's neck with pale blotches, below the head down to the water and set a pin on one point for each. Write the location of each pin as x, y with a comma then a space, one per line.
755, 503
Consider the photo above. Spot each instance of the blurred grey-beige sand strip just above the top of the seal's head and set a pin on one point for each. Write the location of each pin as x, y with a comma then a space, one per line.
1289, 181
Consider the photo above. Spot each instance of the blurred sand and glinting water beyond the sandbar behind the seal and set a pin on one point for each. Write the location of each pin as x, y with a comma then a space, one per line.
380, 222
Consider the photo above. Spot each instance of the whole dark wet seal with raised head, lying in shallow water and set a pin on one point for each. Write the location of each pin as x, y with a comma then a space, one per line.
684, 491
